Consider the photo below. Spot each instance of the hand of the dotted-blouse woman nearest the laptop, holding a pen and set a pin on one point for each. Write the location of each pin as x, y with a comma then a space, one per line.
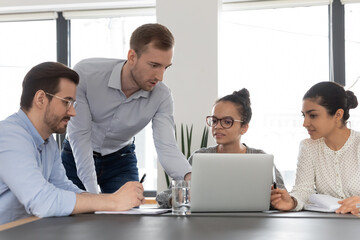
281, 200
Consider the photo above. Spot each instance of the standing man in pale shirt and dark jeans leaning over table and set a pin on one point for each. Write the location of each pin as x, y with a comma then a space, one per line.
116, 100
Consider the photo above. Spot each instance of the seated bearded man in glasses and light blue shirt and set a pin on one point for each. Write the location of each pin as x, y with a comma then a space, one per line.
32, 177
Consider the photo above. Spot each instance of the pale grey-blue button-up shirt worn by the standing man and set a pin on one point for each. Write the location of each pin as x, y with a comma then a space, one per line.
107, 121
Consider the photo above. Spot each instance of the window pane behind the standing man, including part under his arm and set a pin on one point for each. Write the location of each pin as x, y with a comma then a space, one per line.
109, 37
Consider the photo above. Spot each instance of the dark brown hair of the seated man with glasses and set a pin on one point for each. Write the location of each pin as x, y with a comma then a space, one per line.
44, 76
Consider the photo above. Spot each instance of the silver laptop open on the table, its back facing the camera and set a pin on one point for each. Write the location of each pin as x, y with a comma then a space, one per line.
231, 182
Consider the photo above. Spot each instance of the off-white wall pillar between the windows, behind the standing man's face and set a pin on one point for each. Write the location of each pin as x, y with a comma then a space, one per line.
193, 76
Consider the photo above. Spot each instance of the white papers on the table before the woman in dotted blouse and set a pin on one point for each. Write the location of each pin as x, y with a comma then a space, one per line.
322, 203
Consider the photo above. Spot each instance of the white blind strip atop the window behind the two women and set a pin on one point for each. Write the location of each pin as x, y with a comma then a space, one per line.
231, 5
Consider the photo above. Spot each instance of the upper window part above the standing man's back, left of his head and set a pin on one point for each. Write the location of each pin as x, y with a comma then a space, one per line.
103, 37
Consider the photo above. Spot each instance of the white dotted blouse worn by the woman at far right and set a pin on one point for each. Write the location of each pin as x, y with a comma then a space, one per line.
324, 171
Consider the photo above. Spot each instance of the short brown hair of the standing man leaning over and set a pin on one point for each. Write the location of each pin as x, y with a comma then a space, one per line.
151, 32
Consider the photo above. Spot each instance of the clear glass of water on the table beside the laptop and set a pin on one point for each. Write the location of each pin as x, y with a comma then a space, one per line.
180, 197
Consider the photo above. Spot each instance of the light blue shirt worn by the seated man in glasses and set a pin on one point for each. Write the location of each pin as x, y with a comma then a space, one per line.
32, 177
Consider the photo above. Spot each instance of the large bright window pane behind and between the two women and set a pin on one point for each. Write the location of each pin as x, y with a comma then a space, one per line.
277, 54
